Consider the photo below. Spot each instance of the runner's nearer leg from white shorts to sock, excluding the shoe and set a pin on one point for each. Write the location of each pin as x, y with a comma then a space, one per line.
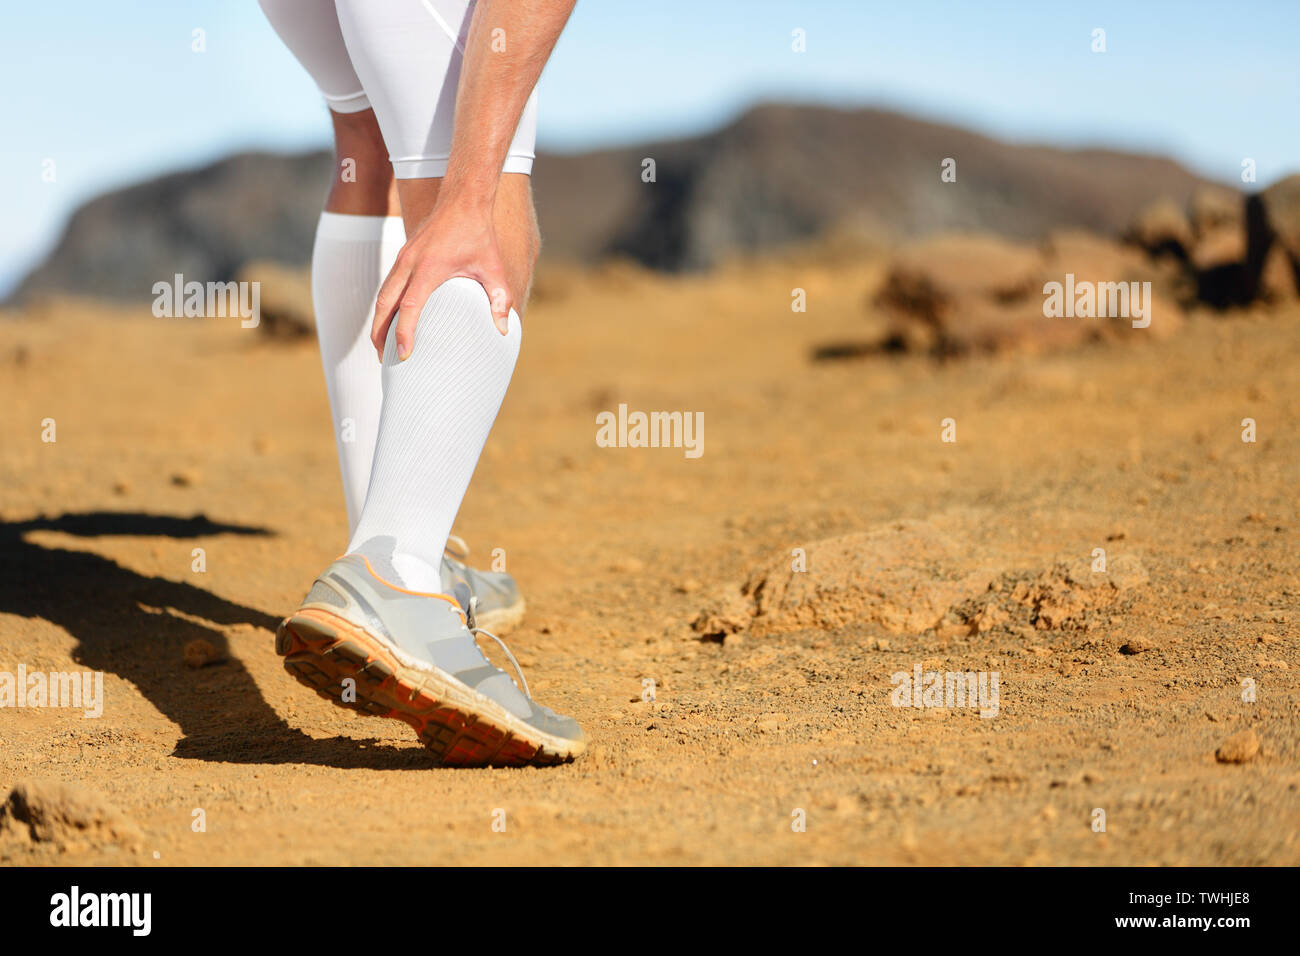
439, 405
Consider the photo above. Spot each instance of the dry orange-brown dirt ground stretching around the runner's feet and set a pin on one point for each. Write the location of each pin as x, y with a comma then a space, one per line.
976, 556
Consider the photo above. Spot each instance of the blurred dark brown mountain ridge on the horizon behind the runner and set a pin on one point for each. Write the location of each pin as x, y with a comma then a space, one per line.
777, 175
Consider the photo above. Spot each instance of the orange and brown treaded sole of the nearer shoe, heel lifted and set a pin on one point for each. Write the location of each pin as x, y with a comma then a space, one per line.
461, 726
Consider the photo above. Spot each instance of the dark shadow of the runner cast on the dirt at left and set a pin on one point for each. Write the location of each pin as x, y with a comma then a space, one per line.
138, 626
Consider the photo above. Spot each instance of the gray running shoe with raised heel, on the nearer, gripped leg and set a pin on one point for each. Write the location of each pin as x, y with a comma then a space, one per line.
414, 657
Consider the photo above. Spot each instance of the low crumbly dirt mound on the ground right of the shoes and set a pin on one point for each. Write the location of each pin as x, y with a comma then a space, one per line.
902, 578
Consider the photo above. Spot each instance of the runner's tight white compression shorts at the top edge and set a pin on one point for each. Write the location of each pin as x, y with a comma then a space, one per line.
401, 58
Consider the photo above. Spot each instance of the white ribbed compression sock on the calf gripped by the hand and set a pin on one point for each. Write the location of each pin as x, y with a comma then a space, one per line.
439, 408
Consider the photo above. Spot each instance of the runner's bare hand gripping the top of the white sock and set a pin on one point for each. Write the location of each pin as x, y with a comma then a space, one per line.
453, 241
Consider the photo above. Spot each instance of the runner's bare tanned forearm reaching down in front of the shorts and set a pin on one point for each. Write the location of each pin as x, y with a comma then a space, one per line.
506, 50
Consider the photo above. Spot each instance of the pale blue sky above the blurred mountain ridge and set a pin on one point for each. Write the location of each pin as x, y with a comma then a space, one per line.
112, 92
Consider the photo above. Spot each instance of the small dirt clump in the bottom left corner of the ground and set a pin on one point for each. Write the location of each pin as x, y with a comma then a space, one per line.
64, 815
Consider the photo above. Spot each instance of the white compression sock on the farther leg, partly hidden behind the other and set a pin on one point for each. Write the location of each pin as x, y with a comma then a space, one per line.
352, 258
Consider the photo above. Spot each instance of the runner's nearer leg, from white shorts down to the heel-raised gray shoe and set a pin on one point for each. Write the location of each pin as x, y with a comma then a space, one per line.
382, 630
